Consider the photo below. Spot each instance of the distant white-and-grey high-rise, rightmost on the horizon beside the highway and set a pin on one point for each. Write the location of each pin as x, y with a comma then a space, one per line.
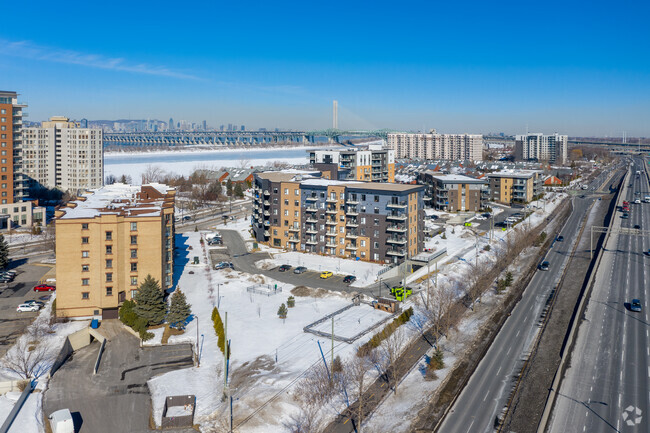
540, 147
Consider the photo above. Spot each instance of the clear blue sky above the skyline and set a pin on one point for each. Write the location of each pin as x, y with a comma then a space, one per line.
572, 67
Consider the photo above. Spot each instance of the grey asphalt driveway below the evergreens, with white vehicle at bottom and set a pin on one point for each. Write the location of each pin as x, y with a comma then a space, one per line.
117, 398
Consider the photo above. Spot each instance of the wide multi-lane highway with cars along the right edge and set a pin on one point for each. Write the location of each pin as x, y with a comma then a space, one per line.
606, 388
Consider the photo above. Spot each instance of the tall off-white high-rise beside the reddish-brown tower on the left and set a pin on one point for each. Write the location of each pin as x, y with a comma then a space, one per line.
61, 154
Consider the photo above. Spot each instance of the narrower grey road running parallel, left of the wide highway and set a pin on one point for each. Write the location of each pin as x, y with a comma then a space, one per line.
486, 393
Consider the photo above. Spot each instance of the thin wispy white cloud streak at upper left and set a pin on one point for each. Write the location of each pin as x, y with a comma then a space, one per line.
28, 50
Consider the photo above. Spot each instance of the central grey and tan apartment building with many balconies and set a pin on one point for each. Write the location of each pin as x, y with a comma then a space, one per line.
381, 222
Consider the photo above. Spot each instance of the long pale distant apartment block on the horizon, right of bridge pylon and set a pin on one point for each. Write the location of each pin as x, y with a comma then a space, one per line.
437, 146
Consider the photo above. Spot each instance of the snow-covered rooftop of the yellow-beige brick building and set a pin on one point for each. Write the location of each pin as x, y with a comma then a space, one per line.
120, 199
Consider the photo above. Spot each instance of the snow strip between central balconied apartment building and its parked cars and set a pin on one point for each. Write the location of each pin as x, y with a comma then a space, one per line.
365, 272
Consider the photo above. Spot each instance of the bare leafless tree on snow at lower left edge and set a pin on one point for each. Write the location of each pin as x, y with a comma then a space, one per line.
27, 359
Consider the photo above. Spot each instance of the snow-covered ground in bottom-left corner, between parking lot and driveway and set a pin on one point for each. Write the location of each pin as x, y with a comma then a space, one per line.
51, 339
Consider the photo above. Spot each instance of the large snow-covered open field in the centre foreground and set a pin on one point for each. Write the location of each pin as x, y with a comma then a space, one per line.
268, 353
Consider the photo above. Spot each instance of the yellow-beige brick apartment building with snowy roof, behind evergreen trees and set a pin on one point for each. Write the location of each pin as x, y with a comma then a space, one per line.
107, 242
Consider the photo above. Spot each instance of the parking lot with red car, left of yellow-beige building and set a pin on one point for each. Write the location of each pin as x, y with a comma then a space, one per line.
13, 323
